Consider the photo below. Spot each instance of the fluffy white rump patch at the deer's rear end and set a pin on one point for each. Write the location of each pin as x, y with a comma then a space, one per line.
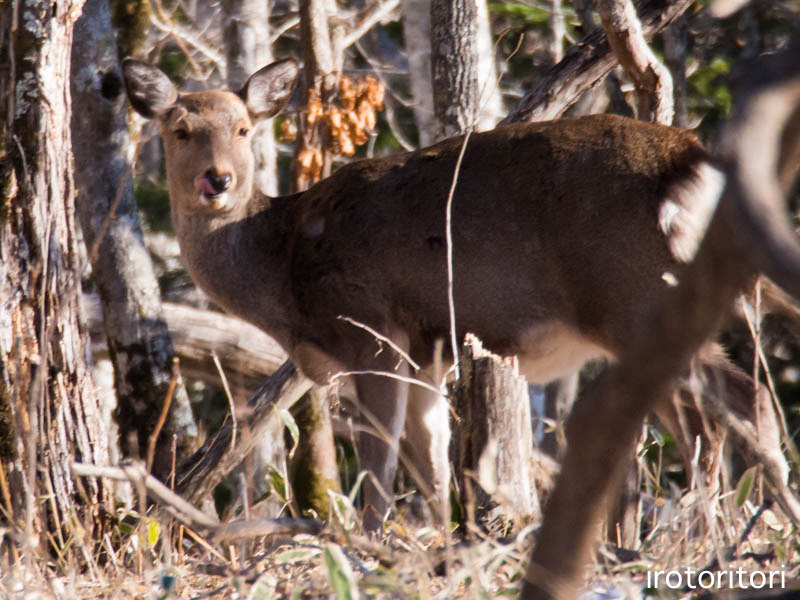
687, 210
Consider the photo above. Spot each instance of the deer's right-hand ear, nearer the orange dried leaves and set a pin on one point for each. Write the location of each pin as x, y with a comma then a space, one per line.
269, 89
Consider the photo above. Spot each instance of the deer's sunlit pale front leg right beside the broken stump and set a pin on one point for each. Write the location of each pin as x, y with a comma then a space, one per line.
426, 443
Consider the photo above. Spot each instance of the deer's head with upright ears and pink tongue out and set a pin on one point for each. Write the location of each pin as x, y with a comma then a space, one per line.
206, 135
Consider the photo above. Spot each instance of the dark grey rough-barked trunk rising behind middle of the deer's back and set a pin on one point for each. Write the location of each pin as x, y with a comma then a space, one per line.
454, 65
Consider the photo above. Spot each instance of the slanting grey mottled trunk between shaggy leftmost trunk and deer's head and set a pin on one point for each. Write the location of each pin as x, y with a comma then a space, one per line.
138, 341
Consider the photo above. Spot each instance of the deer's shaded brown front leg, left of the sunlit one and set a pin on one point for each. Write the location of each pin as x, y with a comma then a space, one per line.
382, 400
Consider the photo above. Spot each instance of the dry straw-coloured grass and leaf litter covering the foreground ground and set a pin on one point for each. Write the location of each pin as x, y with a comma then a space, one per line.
159, 559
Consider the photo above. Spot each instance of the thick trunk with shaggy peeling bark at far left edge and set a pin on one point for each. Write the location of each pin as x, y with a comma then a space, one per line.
46, 392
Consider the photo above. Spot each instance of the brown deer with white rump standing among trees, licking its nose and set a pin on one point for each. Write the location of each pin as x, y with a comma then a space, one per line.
565, 235
